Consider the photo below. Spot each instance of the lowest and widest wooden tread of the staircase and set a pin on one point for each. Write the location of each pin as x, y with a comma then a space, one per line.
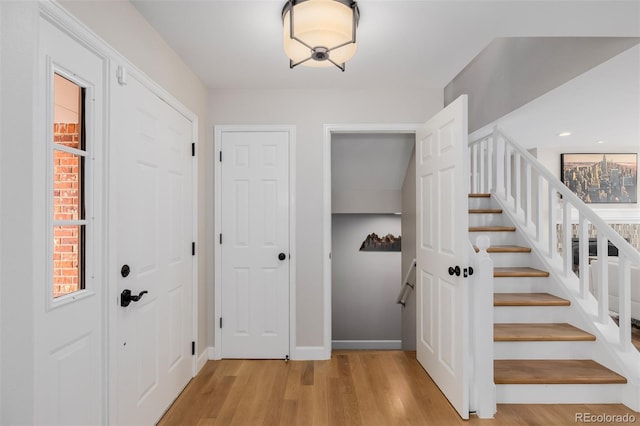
560, 371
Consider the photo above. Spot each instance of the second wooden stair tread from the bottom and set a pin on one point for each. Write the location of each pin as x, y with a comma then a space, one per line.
539, 332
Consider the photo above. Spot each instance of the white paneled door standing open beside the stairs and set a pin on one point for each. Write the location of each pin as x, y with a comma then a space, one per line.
442, 242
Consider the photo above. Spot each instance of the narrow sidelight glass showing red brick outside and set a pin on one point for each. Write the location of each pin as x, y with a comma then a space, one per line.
68, 176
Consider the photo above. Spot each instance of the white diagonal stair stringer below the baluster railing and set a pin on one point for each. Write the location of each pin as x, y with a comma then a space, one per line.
607, 349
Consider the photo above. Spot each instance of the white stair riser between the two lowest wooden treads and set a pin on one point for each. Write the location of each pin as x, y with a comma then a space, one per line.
543, 350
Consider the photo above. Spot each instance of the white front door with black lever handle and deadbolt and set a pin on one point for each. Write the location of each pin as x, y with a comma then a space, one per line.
152, 169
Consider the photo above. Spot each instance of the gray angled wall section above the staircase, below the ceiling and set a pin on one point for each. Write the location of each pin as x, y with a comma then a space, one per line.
511, 72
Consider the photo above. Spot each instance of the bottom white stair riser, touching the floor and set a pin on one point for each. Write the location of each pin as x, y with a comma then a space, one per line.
560, 394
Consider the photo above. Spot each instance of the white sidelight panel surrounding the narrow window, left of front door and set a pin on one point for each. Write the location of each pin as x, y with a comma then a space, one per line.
69, 355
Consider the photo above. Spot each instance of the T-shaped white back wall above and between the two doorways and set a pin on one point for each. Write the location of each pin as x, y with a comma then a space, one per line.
309, 110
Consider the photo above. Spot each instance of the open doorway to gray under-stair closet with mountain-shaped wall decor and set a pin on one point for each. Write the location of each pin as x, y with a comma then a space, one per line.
365, 172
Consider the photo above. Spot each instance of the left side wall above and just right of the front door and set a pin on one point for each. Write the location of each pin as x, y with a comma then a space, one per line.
121, 25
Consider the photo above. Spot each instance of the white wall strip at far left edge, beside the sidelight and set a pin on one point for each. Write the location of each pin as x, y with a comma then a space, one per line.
18, 50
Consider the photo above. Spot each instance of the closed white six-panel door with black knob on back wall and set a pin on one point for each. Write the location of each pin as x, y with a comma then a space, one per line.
255, 245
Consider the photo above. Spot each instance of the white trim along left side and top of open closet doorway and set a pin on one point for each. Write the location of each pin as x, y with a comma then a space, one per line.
329, 129
